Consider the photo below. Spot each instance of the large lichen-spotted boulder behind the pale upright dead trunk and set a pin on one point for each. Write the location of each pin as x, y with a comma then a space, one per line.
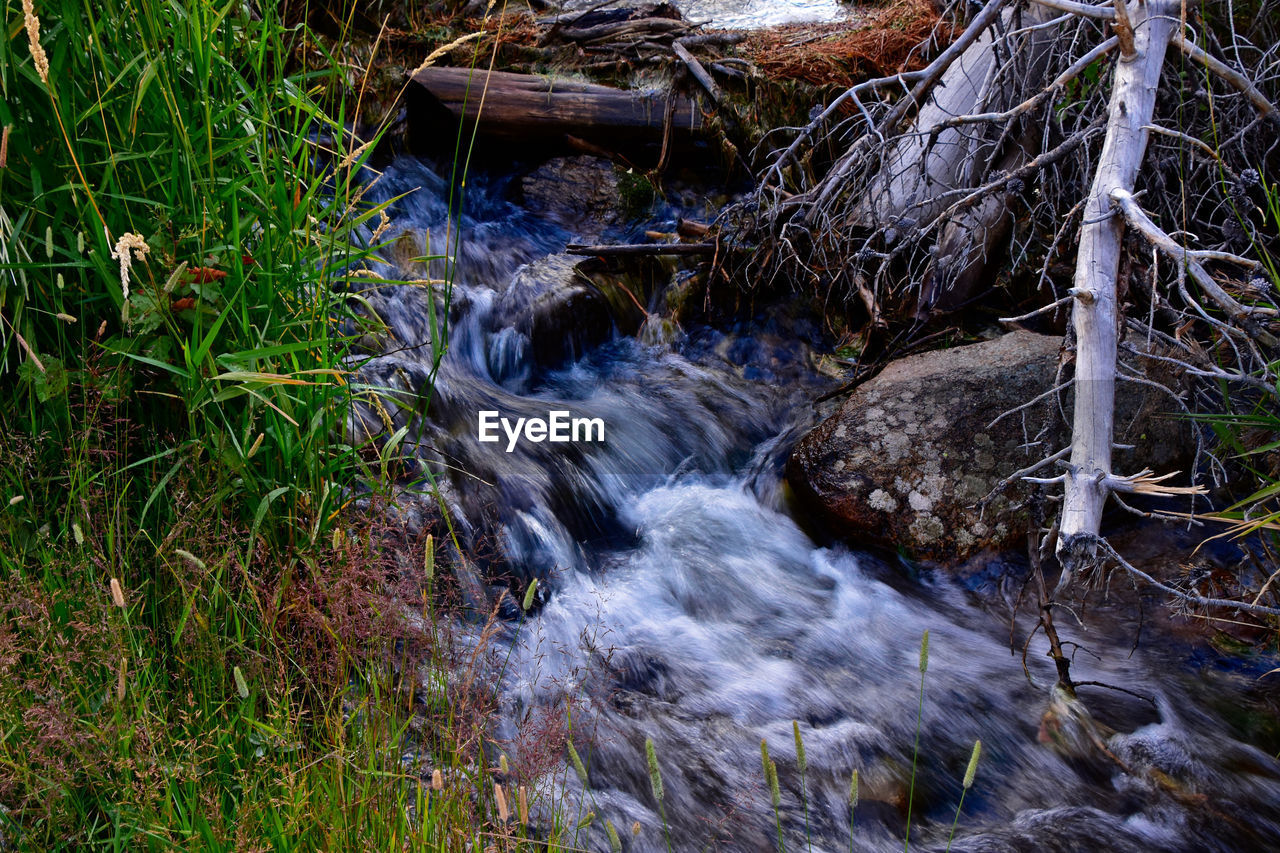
909, 457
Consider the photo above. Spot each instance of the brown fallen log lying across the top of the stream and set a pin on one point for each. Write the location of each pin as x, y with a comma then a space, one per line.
532, 108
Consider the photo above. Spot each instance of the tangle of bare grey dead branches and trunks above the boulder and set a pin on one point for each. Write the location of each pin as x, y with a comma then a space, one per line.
1117, 162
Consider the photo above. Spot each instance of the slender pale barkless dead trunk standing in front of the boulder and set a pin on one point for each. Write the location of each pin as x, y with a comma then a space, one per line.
1133, 97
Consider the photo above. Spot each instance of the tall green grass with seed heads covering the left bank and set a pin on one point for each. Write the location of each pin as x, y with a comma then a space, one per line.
182, 449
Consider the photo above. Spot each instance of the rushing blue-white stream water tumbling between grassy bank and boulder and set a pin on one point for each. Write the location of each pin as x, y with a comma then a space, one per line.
680, 600
